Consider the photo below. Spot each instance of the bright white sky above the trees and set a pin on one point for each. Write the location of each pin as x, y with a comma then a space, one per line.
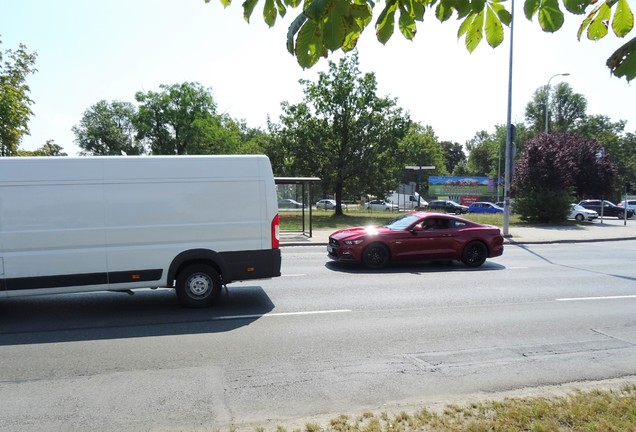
110, 49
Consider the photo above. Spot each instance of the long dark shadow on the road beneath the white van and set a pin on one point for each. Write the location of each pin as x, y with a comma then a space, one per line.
105, 315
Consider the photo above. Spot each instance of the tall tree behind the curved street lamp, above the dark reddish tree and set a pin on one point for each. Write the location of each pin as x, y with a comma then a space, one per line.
566, 109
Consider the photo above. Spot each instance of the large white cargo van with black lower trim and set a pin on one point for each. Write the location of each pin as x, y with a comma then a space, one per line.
79, 224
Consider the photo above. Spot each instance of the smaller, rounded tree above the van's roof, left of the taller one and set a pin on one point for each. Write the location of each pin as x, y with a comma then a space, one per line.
108, 129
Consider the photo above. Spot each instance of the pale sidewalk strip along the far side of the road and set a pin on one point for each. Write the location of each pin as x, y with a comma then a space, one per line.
611, 229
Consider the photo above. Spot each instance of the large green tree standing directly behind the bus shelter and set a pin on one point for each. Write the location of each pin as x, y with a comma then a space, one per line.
343, 132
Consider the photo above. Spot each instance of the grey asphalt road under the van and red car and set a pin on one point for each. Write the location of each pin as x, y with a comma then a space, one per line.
323, 339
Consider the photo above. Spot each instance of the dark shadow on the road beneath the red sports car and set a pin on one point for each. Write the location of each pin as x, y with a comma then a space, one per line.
415, 267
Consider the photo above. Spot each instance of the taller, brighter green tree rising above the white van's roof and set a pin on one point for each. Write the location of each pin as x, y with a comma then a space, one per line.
176, 120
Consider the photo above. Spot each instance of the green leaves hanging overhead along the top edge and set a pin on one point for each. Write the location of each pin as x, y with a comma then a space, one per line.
325, 26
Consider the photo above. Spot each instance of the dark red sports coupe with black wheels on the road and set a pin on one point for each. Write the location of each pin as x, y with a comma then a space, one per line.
417, 236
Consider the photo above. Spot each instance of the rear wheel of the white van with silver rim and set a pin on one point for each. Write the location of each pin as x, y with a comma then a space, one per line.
198, 285
